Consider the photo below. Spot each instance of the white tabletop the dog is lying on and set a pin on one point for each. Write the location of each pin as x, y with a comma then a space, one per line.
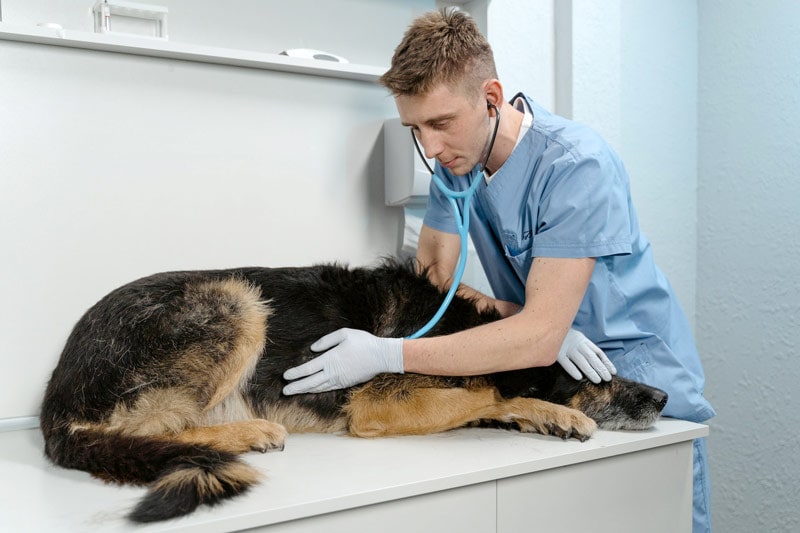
315, 474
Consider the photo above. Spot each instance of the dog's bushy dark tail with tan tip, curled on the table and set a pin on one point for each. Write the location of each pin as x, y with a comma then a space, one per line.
180, 476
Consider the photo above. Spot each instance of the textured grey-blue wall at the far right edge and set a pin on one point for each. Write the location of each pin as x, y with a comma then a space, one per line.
748, 258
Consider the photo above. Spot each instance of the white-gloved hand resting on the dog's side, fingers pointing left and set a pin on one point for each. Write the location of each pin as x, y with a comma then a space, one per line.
351, 357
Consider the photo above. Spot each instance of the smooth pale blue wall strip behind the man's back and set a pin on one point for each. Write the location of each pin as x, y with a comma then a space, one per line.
659, 132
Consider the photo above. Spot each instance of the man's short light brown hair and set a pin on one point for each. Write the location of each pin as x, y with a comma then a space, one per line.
443, 46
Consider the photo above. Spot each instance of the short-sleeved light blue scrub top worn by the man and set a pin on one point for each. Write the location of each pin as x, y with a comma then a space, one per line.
563, 192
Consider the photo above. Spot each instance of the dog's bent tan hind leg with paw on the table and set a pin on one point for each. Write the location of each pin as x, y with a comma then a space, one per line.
202, 400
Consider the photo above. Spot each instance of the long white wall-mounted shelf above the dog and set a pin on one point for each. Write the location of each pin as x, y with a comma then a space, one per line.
144, 46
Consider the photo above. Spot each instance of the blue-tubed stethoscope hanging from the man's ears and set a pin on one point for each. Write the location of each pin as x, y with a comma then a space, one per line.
462, 220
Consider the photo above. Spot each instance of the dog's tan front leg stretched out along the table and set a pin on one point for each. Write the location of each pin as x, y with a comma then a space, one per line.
375, 411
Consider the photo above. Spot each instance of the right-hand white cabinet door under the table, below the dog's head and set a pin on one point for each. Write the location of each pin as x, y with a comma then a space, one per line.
649, 490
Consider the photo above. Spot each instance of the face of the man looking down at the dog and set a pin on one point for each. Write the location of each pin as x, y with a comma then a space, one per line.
450, 127
